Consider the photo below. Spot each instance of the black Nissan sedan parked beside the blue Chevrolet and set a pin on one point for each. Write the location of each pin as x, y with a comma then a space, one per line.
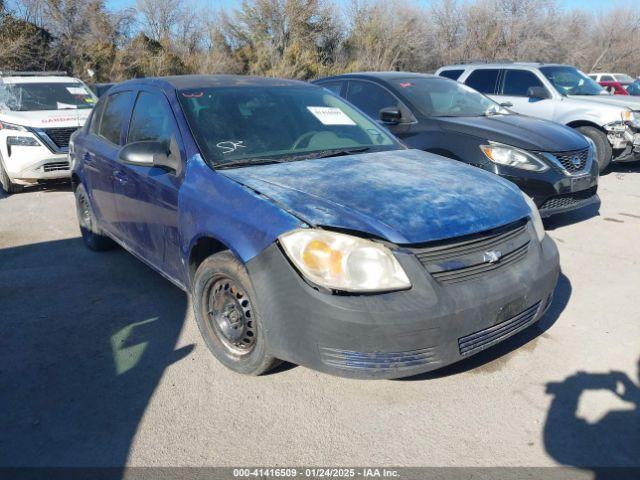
552, 163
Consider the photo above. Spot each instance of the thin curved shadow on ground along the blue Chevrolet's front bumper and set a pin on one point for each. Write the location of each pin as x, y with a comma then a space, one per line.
494, 357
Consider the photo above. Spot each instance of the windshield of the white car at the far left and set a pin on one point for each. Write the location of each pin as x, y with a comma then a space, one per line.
45, 96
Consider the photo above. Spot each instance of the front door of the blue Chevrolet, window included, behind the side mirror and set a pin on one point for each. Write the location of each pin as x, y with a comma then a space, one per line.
147, 196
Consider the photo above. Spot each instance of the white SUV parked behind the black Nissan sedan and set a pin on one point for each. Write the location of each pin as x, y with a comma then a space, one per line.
565, 95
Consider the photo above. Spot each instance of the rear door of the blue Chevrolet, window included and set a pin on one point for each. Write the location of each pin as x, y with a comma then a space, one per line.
99, 154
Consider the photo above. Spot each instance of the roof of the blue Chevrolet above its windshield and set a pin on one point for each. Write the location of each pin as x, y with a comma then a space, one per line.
185, 82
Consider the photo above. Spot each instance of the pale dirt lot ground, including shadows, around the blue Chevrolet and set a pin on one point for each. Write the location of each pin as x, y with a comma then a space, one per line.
101, 363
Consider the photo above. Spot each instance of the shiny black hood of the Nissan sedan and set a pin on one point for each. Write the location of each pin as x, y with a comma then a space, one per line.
519, 131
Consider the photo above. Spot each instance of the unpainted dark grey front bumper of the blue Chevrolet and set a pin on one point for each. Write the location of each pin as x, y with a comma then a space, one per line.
404, 333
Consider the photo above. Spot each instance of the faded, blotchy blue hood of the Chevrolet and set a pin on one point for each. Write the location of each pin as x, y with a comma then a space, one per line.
404, 196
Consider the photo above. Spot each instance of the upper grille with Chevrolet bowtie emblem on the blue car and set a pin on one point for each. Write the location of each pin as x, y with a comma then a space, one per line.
466, 258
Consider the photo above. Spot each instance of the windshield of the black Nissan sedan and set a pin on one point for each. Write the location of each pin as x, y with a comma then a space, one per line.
436, 97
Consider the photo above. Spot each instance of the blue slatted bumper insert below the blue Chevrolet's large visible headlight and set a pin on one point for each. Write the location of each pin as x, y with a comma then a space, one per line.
348, 359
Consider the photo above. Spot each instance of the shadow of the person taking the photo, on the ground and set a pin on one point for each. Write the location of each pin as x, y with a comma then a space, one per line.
611, 440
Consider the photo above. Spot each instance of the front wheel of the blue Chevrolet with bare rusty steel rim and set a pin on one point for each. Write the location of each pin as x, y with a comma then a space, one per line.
228, 316
